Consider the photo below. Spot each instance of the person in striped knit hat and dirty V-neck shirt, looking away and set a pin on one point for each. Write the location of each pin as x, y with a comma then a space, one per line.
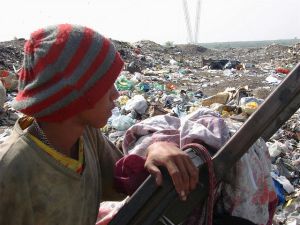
56, 167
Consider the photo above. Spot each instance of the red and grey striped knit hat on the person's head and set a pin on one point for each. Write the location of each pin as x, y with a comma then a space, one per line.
67, 69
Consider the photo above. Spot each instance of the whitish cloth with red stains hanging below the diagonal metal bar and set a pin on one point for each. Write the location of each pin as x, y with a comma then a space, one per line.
247, 190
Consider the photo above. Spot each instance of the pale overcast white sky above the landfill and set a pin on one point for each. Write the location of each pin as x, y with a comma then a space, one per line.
160, 21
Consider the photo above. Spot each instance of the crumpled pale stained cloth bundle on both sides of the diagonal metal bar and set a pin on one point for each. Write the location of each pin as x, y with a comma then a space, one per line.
247, 191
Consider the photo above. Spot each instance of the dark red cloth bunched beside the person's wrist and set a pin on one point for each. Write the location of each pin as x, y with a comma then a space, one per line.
130, 173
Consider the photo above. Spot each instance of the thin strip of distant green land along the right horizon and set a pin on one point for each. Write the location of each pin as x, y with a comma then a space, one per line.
250, 44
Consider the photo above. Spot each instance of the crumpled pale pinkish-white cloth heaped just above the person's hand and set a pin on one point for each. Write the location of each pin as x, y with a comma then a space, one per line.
202, 126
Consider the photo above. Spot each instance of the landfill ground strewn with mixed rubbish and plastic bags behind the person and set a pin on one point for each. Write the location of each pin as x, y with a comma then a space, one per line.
177, 80
